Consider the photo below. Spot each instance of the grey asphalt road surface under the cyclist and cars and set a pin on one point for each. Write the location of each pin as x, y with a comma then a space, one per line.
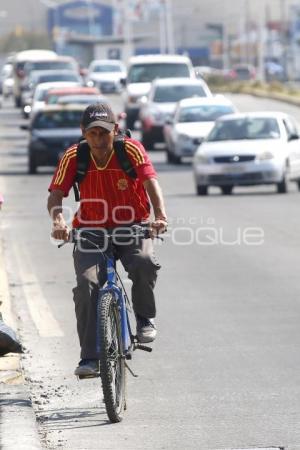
224, 373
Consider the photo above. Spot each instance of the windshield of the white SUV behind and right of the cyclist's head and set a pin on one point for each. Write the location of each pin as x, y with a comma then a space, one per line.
145, 73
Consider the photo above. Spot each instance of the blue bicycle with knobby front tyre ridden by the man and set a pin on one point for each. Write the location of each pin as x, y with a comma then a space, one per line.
115, 339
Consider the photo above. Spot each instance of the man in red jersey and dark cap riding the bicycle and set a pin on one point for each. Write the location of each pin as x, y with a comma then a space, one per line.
109, 199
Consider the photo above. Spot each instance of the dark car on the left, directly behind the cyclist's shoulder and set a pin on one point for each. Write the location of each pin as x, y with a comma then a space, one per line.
52, 130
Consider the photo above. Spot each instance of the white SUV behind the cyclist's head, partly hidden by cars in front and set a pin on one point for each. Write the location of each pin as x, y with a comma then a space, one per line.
142, 70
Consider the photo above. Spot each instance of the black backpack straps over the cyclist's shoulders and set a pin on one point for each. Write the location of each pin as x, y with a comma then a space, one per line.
83, 160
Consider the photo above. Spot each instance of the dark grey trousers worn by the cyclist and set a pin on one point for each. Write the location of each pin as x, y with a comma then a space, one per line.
138, 260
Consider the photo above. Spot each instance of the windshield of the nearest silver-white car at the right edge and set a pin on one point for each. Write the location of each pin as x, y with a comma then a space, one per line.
246, 128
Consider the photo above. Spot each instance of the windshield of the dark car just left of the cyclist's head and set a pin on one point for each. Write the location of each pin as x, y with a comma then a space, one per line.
57, 119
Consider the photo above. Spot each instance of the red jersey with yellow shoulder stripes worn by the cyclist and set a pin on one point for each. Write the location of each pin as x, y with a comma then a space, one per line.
108, 196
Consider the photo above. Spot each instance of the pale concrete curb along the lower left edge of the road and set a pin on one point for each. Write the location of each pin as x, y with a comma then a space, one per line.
18, 426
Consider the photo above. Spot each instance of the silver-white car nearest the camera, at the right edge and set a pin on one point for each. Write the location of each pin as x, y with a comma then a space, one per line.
249, 149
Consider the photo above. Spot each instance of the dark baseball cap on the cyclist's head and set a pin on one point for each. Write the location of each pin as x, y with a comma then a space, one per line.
98, 115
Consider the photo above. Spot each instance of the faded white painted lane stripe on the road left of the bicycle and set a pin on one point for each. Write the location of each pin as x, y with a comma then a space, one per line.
39, 309
